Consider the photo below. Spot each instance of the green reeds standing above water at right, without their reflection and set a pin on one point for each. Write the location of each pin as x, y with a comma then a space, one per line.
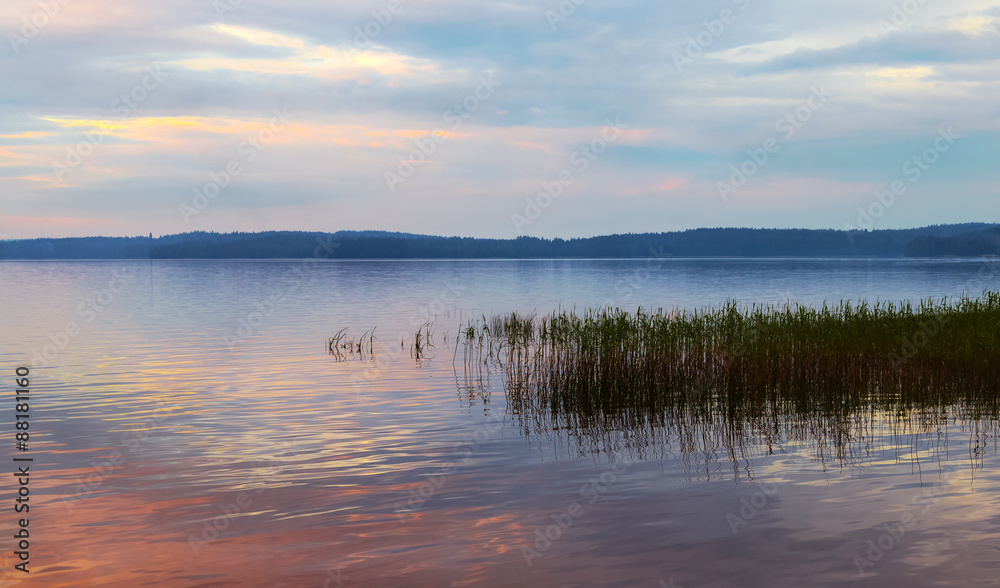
886, 348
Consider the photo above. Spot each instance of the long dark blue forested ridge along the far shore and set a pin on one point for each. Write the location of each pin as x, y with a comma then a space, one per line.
962, 239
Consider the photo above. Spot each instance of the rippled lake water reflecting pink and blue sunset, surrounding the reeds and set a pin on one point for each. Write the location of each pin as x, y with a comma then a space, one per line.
190, 428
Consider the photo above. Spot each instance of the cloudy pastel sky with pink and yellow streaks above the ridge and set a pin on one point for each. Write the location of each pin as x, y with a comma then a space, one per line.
495, 118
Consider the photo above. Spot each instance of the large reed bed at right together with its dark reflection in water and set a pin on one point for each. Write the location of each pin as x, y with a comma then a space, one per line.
737, 376
